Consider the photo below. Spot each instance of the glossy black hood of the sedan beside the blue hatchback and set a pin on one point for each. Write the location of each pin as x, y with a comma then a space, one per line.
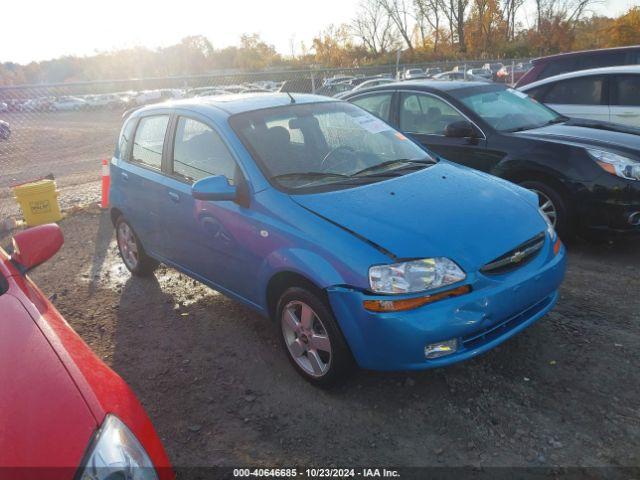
590, 133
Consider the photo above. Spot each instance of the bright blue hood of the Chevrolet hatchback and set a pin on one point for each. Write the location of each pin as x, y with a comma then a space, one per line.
444, 210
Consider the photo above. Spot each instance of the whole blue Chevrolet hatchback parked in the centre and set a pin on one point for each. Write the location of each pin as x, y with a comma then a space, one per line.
363, 247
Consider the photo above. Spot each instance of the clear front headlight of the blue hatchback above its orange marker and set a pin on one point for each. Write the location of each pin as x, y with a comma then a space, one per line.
414, 276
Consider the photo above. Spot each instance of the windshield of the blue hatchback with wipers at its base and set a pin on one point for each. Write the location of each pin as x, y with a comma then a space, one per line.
323, 146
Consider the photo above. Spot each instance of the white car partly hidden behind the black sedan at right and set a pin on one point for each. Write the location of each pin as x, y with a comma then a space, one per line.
609, 94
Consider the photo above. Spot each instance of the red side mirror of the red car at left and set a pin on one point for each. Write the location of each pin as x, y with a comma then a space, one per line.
36, 245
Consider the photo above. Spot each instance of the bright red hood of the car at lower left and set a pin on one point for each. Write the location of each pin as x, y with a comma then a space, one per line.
44, 420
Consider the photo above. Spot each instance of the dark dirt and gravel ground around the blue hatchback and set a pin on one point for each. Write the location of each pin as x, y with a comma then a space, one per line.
220, 391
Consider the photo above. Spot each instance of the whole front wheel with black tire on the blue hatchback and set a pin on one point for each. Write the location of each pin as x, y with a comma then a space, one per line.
312, 339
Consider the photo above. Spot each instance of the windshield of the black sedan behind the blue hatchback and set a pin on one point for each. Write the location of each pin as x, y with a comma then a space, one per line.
510, 111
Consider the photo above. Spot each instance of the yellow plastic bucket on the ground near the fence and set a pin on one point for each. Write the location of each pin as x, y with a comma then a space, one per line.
39, 202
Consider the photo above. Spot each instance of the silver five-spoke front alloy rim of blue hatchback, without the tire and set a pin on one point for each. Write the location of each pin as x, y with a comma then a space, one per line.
306, 338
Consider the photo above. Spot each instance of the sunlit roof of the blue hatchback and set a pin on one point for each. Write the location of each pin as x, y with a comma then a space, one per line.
236, 103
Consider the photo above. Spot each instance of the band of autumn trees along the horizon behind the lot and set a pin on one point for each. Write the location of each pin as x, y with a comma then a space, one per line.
423, 30
